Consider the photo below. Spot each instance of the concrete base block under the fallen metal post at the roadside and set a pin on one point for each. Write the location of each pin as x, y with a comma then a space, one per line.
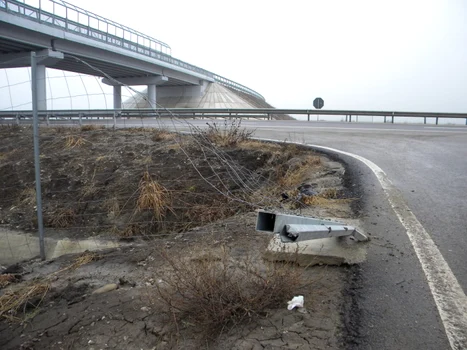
327, 251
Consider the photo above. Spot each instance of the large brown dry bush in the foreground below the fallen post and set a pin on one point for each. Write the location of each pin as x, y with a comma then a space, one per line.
217, 291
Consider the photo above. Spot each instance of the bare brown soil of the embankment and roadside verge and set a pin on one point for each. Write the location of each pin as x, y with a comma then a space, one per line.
92, 188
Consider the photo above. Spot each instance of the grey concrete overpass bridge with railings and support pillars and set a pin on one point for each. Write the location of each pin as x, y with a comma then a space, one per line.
69, 38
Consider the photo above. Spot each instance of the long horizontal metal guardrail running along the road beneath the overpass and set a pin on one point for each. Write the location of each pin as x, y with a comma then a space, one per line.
259, 113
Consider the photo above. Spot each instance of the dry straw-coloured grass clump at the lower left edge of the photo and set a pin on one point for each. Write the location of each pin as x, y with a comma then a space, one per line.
21, 300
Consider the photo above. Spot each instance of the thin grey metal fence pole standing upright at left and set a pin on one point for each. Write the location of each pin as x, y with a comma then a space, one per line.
40, 224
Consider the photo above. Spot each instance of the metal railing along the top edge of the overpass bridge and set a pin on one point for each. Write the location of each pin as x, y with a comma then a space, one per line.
63, 15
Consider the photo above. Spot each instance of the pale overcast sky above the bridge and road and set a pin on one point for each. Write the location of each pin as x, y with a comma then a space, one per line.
374, 55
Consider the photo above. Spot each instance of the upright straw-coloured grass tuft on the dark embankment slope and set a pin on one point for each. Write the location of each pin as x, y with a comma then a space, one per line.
153, 196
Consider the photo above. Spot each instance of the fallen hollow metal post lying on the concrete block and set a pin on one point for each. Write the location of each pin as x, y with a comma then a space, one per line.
293, 228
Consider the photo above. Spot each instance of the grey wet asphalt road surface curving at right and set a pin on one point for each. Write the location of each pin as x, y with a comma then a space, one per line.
390, 303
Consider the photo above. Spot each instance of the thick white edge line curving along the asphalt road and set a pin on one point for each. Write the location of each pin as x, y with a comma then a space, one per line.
449, 297
